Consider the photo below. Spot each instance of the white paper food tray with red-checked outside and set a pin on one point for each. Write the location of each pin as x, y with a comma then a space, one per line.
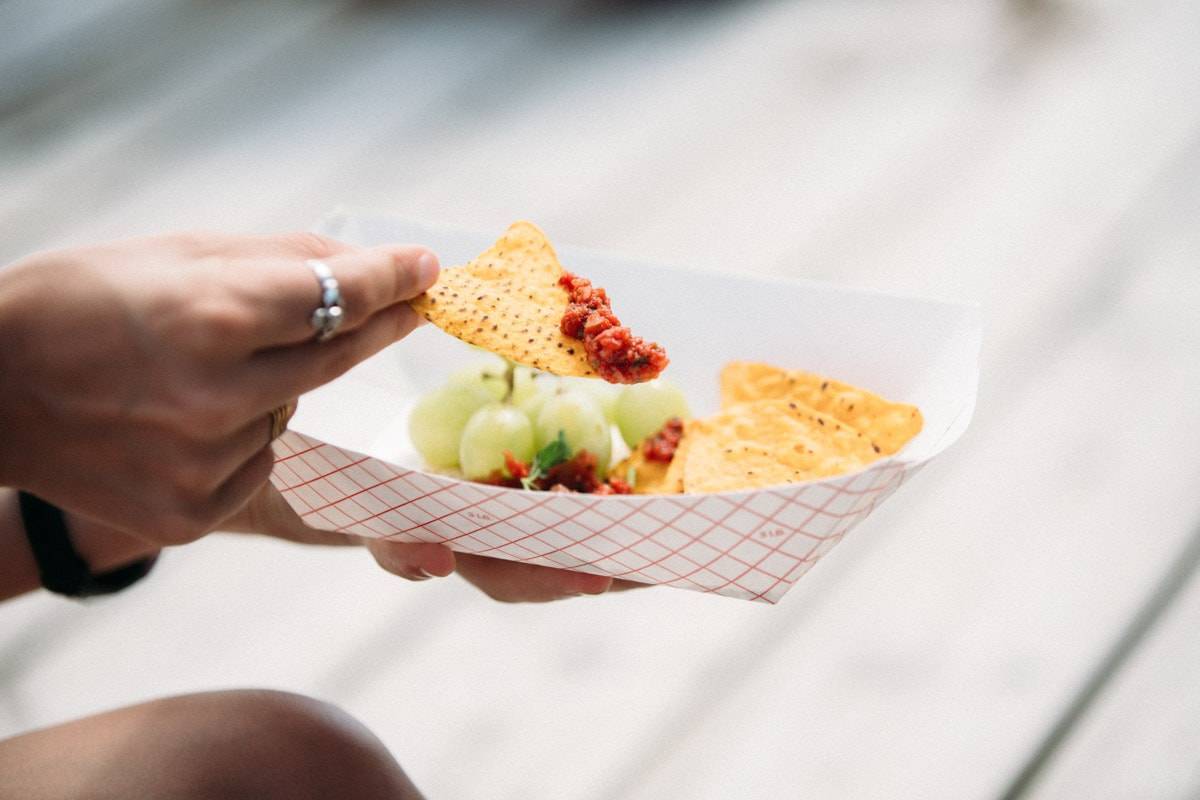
347, 465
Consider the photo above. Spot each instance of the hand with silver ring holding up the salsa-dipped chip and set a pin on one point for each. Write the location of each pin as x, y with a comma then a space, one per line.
140, 375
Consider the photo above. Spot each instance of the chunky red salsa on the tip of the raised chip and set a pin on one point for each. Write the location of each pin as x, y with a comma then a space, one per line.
614, 352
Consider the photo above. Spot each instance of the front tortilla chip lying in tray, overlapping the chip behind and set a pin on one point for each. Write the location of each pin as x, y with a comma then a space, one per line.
767, 443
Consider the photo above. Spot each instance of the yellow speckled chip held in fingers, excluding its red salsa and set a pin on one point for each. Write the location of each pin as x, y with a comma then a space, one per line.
508, 302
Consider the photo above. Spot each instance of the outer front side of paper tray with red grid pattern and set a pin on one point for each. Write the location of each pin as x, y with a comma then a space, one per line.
752, 545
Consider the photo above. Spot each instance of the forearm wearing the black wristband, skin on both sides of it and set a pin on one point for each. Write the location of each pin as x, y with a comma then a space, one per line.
101, 548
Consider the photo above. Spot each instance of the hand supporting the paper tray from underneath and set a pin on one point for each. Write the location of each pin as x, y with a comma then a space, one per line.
269, 514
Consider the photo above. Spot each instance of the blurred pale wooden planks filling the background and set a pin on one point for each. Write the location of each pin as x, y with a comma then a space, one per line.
1019, 622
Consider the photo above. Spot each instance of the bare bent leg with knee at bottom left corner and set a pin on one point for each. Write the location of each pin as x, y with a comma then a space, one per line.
236, 744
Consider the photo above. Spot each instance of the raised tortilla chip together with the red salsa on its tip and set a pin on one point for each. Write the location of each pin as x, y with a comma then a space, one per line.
518, 302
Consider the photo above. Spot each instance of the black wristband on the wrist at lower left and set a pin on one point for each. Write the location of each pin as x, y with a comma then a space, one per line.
62, 569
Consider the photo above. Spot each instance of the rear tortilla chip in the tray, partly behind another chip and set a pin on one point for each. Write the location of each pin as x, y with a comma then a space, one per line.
886, 424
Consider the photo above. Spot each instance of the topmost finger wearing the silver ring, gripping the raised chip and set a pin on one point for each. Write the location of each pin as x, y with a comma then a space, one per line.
370, 280
